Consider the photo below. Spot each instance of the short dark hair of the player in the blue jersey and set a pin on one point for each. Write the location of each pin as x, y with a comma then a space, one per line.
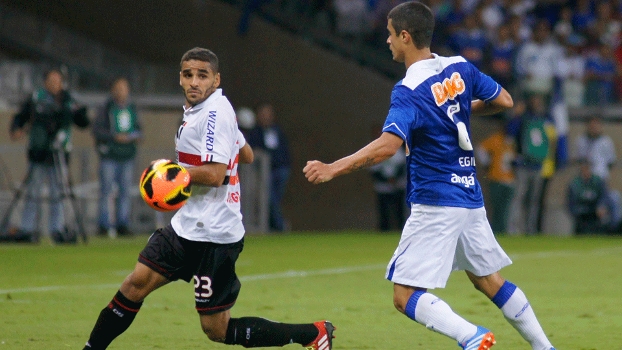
415, 18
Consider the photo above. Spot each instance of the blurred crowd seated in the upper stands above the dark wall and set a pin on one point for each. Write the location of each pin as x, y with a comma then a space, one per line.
555, 46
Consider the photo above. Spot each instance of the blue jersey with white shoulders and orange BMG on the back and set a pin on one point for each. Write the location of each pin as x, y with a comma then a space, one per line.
430, 110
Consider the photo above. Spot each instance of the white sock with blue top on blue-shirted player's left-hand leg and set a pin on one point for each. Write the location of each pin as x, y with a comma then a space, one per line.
436, 315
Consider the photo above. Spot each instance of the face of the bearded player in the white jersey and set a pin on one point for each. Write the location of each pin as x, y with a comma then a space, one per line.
198, 81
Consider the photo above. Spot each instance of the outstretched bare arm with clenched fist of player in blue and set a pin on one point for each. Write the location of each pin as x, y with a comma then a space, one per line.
375, 152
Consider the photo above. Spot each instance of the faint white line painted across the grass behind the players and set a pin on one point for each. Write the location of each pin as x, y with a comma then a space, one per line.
332, 271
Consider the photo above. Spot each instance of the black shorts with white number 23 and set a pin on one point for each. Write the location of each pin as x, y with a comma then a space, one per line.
210, 266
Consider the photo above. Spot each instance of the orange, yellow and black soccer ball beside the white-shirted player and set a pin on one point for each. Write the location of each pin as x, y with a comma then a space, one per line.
165, 185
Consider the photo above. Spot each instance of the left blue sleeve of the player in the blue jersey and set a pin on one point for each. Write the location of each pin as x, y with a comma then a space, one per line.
402, 113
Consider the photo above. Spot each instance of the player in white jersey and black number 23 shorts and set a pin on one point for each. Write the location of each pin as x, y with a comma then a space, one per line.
206, 235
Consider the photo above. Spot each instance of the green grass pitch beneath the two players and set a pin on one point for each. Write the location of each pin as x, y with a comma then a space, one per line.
50, 296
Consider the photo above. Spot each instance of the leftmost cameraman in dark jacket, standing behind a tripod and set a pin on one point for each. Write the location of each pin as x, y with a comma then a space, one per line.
46, 116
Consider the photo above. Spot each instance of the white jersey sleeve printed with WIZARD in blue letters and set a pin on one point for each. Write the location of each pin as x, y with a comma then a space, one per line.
219, 133
